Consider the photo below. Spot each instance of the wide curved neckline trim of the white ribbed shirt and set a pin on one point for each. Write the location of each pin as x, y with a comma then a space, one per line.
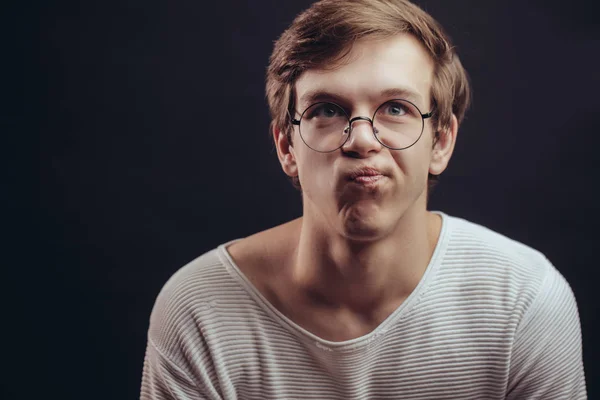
351, 344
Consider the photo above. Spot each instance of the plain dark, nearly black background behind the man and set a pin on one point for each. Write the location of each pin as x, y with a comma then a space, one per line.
150, 132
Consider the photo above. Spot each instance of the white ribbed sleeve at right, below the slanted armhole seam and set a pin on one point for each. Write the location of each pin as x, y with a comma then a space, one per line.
546, 358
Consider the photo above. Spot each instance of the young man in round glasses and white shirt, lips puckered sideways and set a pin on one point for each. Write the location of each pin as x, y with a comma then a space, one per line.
368, 295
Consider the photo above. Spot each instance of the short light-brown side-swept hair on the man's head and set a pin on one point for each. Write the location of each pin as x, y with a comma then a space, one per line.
323, 35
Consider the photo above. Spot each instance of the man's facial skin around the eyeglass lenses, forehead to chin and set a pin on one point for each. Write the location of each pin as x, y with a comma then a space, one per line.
374, 69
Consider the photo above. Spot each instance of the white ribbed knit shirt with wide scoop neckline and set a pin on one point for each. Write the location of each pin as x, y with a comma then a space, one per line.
491, 318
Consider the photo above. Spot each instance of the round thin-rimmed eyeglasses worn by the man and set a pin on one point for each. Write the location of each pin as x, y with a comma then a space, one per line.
397, 124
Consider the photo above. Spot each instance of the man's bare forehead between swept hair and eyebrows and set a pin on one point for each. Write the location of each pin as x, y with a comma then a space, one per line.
374, 70
